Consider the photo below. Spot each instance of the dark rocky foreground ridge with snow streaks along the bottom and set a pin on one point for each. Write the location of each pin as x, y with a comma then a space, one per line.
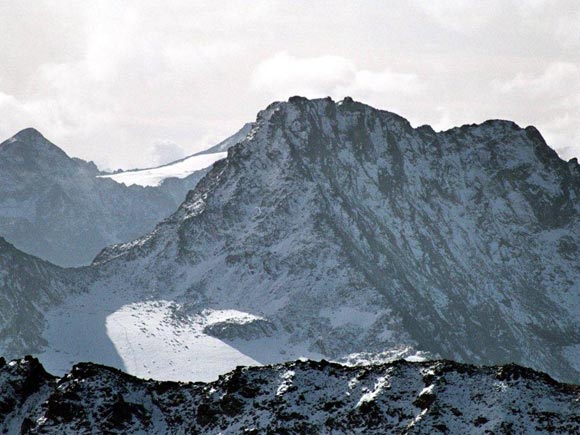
295, 397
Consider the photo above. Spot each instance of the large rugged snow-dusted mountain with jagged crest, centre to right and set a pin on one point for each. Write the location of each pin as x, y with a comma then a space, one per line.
337, 229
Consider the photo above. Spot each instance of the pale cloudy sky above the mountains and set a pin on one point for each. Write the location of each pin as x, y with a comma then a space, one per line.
136, 83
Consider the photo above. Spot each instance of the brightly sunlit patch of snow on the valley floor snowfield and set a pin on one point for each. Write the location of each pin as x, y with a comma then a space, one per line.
152, 346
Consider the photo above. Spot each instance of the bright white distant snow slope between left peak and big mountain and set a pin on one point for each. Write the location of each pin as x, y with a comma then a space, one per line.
180, 168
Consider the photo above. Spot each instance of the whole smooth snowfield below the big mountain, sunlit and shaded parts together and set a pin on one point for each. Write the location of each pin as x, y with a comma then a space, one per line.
145, 339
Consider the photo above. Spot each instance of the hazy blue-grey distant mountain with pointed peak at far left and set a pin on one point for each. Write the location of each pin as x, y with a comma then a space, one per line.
58, 207
